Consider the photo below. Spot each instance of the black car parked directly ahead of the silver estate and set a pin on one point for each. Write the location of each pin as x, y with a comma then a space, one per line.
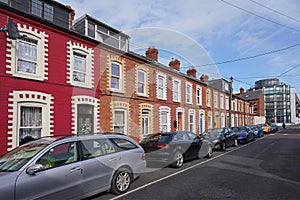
173, 148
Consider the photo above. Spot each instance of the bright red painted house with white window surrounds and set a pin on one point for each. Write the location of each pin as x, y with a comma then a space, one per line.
48, 77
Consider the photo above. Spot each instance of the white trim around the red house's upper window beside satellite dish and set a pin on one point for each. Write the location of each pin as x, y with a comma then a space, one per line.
42, 54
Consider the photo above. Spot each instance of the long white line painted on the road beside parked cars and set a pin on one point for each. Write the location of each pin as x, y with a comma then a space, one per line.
186, 169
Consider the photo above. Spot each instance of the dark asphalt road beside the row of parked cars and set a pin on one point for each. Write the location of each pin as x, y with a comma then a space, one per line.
268, 168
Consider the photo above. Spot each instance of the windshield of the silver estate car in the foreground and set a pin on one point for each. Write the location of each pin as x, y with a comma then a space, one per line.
18, 157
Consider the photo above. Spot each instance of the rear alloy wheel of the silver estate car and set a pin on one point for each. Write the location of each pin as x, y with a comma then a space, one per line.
121, 181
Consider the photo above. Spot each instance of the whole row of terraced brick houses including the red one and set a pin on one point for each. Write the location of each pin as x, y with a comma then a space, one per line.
76, 77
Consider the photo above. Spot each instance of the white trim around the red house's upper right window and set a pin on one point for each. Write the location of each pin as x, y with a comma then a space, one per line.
89, 55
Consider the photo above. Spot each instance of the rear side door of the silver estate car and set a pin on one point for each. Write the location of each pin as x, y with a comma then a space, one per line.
100, 159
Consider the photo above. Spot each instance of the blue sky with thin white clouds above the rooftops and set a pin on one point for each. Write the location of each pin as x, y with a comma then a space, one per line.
248, 40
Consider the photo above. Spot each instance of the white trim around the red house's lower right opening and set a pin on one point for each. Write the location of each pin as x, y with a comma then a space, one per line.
76, 100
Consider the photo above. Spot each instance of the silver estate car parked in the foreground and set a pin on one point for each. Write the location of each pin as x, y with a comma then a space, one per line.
70, 167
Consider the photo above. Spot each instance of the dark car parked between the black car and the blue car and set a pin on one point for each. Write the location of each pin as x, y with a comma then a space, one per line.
221, 138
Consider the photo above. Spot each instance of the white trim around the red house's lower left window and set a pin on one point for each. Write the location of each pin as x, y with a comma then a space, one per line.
32, 98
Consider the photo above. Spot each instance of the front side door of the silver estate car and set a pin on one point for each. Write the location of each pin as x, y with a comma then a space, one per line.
60, 177
